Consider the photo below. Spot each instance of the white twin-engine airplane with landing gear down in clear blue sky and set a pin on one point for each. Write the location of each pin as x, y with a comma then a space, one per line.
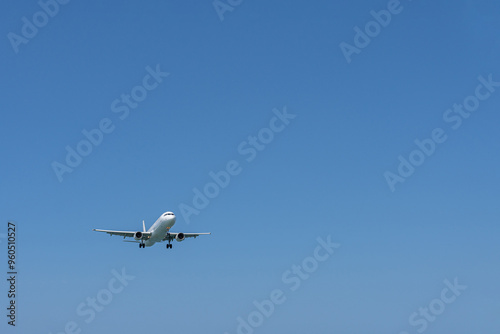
160, 231
